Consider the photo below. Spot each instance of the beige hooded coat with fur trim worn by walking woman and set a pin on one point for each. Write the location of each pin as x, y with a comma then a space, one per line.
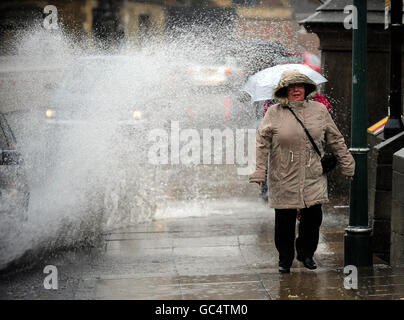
295, 174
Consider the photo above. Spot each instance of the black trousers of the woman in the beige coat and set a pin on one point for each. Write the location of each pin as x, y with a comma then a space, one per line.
309, 232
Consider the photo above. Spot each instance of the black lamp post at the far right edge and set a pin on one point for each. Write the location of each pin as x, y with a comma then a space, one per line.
394, 124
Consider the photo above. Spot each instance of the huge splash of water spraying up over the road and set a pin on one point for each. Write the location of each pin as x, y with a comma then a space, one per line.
86, 167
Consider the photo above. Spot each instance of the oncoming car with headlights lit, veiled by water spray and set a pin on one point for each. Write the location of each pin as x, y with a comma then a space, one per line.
96, 89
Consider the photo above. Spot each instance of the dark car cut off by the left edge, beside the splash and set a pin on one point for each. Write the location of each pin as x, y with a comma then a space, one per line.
14, 190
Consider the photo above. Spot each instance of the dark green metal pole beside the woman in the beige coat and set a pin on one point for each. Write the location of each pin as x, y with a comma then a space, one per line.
357, 244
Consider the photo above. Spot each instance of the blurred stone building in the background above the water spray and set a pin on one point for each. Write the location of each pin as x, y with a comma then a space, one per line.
114, 21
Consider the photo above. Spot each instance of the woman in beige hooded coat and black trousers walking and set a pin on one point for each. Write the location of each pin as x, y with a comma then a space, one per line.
295, 174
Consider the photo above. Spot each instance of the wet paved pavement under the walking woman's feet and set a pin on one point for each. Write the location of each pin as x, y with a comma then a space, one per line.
224, 249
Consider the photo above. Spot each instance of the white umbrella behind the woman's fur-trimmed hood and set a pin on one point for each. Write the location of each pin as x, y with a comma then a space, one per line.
261, 85
